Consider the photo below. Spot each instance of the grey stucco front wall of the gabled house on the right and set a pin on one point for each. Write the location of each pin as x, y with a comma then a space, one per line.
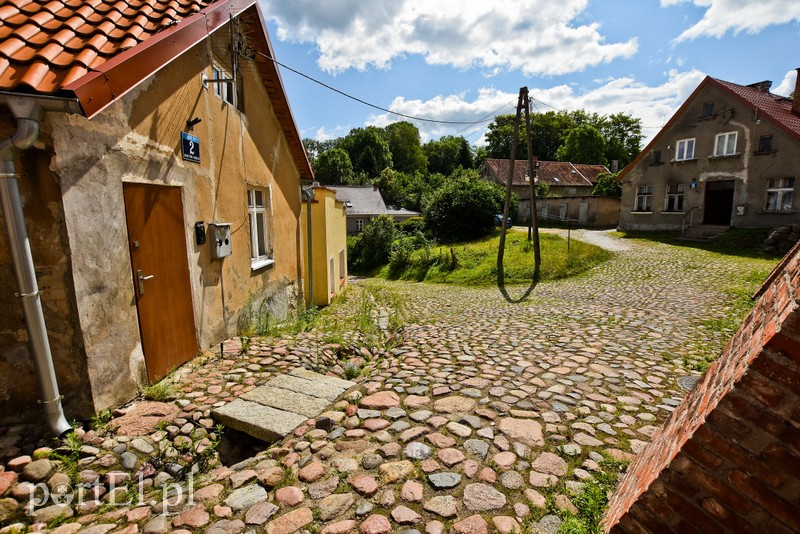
749, 170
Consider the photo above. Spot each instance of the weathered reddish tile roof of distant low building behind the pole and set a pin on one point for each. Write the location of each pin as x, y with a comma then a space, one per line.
554, 173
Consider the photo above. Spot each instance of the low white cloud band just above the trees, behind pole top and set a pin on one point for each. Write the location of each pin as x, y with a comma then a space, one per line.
653, 104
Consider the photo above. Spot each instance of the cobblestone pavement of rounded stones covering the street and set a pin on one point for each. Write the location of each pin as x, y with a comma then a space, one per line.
477, 415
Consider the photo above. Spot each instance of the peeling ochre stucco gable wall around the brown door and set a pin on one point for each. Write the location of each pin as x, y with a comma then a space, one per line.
138, 140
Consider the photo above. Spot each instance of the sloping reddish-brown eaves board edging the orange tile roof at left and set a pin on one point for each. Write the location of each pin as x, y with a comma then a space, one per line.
116, 77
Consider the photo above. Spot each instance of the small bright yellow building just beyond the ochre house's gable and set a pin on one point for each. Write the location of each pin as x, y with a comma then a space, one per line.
328, 246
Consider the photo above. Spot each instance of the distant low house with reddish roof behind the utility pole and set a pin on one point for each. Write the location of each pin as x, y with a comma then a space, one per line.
569, 191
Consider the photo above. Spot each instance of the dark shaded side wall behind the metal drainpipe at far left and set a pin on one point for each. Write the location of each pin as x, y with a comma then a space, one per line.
44, 220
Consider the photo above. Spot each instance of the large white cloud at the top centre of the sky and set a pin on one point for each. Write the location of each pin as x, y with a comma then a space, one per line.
536, 37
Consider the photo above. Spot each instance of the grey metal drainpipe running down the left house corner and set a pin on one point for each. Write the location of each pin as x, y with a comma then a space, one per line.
28, 114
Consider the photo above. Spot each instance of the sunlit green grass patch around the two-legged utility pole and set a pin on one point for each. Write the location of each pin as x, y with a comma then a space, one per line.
475, 263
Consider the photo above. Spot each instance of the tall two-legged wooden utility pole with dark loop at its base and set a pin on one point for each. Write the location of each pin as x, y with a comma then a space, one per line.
523, 105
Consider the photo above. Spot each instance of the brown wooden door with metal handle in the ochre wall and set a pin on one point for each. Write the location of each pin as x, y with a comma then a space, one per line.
157, 241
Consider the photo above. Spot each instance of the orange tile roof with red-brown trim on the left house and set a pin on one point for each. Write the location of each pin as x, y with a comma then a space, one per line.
98, 50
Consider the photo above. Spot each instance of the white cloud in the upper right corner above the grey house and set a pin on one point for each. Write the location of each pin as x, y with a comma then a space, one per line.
736, 16
